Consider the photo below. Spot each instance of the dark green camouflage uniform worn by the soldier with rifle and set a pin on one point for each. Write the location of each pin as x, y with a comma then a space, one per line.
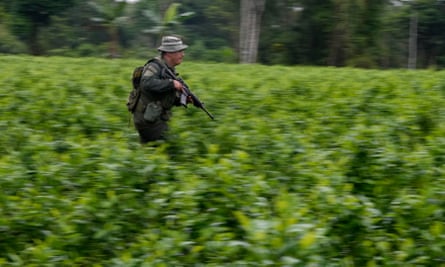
158, 96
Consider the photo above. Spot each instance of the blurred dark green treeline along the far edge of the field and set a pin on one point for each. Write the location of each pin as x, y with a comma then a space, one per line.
371, 34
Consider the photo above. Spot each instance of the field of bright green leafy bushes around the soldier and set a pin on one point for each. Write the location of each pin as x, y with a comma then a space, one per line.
303, 166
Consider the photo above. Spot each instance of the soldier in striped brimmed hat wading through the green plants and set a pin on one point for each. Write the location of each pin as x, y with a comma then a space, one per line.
159, 92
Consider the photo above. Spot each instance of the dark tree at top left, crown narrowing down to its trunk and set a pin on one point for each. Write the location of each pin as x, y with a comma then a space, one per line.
33, 15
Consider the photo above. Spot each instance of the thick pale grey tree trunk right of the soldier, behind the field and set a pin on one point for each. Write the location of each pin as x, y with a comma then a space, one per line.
251, 12
